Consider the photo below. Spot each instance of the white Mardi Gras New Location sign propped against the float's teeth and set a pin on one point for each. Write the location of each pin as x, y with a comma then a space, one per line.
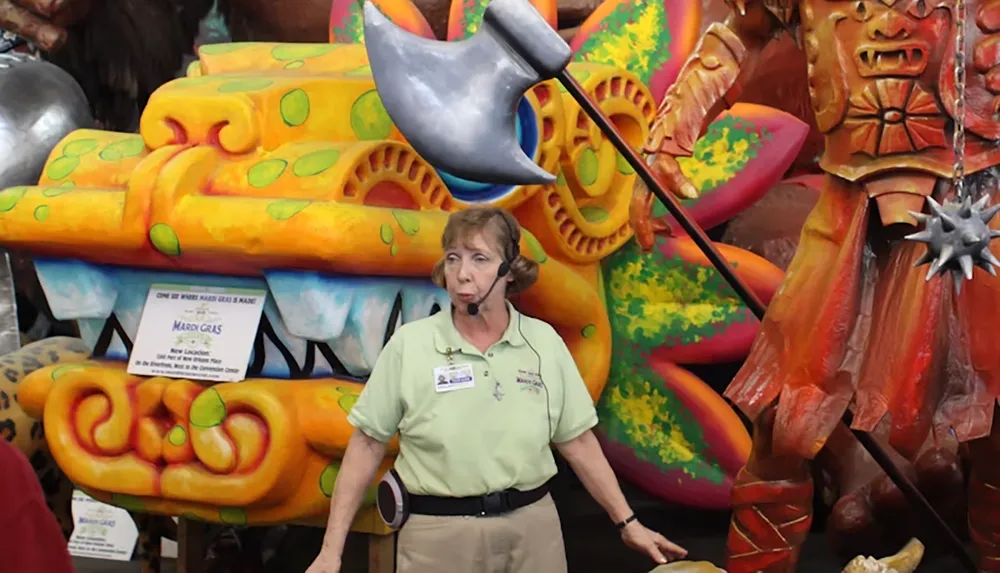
198, 333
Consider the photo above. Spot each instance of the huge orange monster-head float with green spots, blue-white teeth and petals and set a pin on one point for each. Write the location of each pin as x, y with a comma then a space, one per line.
273, 167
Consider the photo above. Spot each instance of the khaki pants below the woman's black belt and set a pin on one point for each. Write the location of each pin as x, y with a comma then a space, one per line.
527, 540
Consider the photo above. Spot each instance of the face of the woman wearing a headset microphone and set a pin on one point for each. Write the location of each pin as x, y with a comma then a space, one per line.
470, 267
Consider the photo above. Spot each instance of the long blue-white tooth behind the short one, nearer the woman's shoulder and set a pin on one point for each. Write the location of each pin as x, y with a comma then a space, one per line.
359, 344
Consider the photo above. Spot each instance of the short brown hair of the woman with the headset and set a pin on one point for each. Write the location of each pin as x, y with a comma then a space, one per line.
503, 229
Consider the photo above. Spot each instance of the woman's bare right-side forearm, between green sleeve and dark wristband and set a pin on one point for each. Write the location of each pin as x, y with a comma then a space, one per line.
585, 456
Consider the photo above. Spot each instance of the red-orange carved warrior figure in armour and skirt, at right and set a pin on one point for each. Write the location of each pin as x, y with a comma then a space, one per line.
855, 324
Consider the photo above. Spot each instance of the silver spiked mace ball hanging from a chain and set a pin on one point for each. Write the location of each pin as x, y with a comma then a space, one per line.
957, 235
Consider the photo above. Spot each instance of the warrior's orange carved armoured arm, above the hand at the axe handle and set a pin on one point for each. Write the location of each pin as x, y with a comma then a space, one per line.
712, 78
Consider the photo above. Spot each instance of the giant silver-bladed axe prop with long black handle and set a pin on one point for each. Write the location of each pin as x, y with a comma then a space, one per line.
455, 103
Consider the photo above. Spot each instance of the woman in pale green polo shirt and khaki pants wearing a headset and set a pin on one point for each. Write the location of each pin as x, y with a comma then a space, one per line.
476, 408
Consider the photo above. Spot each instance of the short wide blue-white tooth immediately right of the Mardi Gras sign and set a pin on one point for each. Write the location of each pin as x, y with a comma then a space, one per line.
312, 306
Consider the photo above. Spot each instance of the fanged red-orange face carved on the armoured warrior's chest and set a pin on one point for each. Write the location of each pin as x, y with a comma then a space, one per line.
895, 38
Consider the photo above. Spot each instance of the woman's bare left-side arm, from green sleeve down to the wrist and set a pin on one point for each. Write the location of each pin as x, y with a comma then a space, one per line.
357, 470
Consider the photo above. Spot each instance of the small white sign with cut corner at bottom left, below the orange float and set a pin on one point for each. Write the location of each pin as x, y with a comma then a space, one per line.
100, 530
